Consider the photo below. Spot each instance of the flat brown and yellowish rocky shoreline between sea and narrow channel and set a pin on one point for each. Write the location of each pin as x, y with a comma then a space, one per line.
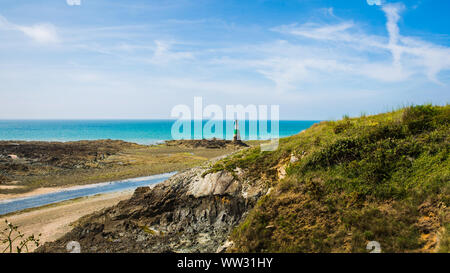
29, 165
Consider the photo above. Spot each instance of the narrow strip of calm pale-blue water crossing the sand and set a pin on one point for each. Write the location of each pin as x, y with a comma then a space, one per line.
49, 198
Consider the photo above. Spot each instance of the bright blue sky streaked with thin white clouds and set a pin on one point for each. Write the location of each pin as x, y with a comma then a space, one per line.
136, 59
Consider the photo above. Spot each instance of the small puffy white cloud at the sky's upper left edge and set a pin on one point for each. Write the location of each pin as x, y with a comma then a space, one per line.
41, 33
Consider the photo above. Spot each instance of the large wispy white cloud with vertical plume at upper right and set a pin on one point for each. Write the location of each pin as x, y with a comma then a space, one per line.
346, 50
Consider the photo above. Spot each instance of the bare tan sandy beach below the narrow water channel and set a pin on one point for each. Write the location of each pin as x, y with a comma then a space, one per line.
55, 220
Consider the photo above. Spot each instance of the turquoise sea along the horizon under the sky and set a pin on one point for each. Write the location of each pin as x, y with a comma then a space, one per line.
138, 131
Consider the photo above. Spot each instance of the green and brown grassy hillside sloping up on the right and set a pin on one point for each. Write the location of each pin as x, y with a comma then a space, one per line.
339, 185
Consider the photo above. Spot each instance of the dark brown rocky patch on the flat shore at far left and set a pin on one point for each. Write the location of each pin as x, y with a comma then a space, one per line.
20, 160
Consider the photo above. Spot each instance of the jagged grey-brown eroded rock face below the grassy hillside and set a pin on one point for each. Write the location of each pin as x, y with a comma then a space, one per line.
187, 213
